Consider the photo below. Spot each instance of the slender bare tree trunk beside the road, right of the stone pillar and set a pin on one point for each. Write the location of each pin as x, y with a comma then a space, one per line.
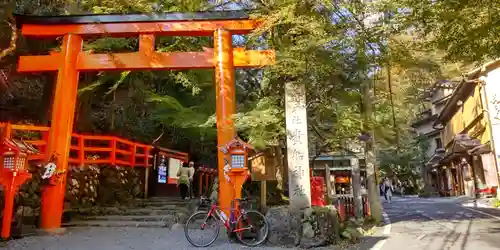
373, 191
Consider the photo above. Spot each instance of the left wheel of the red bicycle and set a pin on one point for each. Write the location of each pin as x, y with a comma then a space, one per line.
201, 230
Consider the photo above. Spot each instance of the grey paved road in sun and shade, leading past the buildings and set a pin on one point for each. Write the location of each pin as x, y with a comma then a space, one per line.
441, 224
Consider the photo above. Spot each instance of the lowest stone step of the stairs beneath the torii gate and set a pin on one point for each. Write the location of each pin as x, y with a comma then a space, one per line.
109, 223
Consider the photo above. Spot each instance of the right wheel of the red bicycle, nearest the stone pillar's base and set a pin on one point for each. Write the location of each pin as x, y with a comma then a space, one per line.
252, 228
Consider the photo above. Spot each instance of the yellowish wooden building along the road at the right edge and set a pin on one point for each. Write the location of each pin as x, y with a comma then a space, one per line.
467, 165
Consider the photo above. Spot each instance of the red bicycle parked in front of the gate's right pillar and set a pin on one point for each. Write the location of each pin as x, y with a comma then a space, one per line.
243, 223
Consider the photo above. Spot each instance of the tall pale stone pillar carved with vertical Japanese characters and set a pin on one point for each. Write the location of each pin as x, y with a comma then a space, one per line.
297, 146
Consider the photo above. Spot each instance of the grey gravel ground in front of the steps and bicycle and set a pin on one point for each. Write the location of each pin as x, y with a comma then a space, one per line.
135, 238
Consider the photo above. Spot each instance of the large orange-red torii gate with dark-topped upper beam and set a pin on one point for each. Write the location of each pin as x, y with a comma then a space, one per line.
72, 60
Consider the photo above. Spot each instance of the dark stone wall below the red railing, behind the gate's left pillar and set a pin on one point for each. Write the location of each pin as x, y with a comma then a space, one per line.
87, 186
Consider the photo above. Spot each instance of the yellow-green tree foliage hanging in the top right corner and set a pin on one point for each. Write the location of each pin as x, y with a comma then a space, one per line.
464, 30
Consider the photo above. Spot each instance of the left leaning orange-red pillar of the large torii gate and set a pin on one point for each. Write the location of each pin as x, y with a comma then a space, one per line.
63, 112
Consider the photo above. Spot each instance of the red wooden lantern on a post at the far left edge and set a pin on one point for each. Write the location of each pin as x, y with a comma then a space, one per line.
13, 173
